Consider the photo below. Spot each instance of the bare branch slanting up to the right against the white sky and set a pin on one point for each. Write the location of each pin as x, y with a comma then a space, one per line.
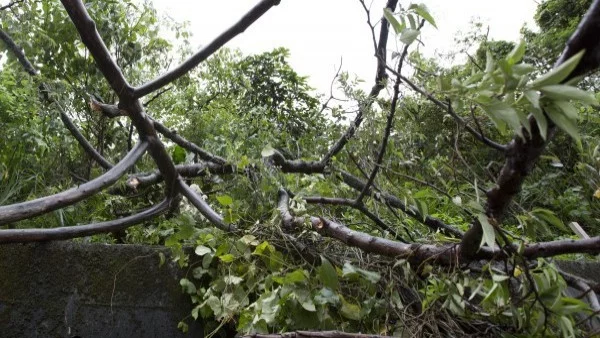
238, 28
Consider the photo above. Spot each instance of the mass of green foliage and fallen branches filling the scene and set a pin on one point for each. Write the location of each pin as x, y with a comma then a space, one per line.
435, 204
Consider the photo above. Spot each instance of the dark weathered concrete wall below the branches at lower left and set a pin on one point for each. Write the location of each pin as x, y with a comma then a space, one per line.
65, 289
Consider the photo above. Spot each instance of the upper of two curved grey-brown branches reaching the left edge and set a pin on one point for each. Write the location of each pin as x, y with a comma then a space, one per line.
16, 212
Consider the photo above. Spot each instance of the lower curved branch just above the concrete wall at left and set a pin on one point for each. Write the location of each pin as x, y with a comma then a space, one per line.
61, 233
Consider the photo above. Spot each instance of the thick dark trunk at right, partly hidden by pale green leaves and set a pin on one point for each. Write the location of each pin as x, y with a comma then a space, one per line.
523, 153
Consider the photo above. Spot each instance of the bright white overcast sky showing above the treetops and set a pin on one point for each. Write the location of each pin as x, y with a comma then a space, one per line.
320, 32
